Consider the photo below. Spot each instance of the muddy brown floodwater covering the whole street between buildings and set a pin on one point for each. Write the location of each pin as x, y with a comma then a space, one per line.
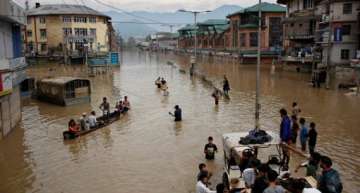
146, 151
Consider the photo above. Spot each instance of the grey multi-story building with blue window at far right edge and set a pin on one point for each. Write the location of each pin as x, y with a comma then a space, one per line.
338, 18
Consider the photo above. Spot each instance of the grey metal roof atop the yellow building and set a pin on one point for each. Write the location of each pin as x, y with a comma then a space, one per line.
64, 9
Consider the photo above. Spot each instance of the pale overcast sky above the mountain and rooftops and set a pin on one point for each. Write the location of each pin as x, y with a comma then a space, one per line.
153, 5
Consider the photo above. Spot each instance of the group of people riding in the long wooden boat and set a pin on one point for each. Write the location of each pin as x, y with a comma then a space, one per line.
90, 122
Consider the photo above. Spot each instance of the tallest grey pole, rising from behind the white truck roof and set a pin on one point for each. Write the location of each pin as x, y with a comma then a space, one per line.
257, 103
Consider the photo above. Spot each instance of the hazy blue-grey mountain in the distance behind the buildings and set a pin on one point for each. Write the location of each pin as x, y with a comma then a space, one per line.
141, 30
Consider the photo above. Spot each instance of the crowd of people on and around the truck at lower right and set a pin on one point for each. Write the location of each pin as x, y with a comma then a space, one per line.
260, 178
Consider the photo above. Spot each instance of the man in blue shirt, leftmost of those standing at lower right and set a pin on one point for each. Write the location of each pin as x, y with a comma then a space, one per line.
285, 136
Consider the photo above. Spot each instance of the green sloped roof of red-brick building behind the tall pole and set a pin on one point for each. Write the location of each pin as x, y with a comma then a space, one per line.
265, 7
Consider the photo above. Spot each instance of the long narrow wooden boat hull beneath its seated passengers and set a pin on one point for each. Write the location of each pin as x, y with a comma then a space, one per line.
103, 122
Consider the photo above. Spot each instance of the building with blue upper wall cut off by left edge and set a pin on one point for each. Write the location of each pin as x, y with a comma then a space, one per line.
12, 64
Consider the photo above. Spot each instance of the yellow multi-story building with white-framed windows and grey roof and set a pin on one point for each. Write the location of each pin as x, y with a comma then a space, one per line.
65, 29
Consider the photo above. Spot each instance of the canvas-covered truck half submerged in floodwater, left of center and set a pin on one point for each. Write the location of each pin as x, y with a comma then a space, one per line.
63, 90
